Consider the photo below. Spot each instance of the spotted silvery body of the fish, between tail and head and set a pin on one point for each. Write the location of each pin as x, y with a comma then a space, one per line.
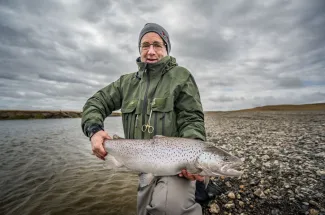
159, 156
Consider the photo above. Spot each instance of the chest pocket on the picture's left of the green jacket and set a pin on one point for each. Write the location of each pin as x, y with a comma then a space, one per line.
130, 110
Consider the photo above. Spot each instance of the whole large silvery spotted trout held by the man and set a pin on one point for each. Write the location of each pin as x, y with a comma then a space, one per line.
168, 156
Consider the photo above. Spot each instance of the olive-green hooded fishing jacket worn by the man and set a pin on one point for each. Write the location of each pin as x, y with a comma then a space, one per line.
166, 88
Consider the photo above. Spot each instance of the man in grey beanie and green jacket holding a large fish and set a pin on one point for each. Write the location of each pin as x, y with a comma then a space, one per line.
163, 95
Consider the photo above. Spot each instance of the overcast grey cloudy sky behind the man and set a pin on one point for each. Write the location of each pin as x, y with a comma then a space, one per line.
56, 54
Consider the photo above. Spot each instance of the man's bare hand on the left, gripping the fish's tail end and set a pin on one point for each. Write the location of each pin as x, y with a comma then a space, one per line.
97, 144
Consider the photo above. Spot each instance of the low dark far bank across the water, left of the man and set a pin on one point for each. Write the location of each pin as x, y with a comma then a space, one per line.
41, 114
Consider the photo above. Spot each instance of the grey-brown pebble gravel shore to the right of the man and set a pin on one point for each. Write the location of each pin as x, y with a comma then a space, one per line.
284, 162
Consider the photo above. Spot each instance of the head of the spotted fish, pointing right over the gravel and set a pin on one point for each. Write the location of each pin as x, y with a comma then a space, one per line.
215, 162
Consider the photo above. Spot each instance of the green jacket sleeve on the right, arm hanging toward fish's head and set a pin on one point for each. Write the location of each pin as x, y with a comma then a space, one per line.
190, 116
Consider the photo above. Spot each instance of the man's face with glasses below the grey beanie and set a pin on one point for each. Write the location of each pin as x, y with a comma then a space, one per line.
152, 48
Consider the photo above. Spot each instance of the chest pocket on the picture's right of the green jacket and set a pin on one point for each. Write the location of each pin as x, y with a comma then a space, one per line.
163, 116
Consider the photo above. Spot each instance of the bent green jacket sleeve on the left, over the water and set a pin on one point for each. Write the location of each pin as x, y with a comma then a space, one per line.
101, 105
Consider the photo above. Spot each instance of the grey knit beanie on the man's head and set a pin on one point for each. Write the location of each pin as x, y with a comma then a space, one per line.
153, 27
